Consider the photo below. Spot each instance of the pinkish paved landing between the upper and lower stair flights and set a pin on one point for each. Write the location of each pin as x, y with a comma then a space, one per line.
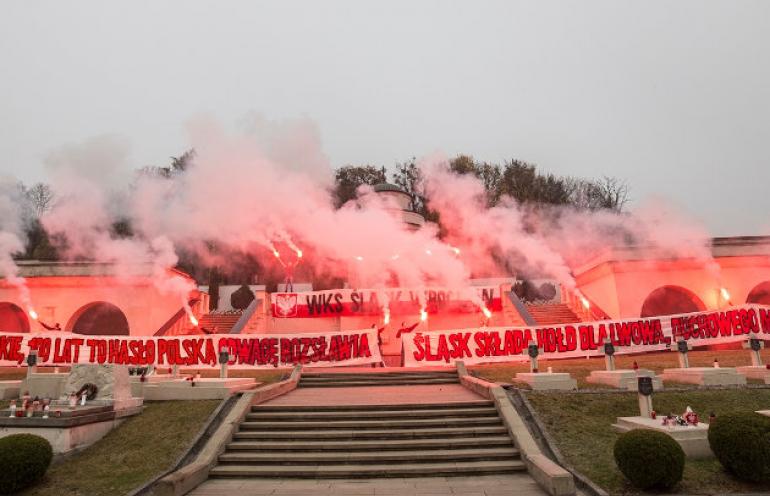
376, 395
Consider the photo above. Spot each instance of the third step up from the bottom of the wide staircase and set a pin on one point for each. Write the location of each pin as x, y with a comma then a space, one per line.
378, 444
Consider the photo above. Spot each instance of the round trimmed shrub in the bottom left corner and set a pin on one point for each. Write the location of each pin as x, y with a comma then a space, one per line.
24, 458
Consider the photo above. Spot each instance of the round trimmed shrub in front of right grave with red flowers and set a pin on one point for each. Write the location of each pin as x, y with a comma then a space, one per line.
649, 459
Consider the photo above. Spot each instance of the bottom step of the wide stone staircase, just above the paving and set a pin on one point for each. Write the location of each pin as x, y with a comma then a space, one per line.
314, 471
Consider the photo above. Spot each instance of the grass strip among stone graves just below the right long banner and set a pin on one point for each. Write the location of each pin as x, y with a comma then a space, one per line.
580, 368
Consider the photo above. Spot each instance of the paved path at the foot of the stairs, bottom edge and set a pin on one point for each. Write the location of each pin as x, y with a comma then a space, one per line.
491, 485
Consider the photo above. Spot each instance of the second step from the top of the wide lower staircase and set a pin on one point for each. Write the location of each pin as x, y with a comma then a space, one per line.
374, 414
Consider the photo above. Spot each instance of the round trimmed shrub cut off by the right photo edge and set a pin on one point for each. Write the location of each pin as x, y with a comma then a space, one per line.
741, 443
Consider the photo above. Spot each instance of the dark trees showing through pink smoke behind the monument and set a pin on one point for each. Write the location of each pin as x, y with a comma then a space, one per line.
517, 179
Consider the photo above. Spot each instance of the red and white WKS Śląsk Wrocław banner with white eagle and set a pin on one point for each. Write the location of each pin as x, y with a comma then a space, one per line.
355, 302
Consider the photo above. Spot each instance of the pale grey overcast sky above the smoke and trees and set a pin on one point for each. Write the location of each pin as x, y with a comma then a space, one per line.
672, 96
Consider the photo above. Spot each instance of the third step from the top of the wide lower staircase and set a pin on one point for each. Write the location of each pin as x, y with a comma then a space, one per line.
369, 424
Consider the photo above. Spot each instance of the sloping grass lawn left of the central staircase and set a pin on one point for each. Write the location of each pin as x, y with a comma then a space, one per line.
131, 454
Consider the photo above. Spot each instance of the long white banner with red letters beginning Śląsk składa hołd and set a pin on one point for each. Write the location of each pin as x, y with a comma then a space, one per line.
504, 344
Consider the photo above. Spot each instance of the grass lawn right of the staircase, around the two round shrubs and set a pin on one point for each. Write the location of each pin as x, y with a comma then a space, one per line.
580, 424
